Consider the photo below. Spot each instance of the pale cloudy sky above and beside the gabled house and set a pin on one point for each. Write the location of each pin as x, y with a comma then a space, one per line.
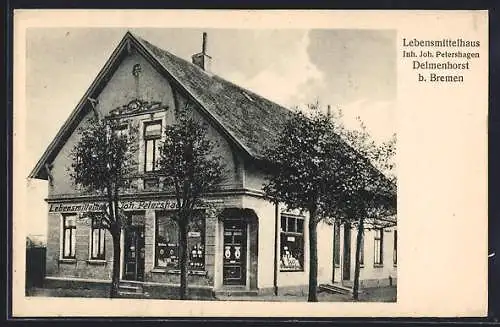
354, 70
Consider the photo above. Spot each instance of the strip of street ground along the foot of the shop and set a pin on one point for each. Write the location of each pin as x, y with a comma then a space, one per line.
379, 294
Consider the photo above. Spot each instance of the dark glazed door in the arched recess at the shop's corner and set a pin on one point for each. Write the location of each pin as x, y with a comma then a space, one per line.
234, 252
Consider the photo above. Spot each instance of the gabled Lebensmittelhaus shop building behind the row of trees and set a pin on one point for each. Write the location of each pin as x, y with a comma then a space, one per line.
144, 85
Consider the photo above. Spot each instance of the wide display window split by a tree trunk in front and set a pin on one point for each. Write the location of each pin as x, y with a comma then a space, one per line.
167, 243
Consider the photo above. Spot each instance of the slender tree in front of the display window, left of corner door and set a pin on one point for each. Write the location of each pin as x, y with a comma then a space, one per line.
191, 167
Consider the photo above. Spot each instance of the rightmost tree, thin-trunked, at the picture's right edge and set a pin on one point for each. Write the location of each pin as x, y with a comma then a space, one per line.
368, 195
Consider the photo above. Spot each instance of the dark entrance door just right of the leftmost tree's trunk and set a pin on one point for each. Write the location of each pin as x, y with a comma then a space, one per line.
134, 253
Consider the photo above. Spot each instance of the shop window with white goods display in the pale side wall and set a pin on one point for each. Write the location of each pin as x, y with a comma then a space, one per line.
292, 243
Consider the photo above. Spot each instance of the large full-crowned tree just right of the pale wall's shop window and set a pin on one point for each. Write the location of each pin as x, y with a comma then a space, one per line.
310, 162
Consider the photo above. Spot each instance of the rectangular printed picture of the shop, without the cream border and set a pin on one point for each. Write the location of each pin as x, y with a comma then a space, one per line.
214, 164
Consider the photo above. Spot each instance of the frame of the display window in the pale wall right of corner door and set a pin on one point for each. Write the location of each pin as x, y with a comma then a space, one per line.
299, 237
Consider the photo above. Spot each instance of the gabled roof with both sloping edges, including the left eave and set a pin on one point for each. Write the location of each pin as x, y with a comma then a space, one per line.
246, 118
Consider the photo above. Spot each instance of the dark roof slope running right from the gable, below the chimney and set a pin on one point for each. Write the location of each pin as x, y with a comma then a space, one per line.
251, 119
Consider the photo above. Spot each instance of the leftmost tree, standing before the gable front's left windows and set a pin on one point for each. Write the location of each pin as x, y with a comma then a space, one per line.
102, 163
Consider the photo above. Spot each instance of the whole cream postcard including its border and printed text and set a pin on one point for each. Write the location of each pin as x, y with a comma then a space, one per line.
200, 164
